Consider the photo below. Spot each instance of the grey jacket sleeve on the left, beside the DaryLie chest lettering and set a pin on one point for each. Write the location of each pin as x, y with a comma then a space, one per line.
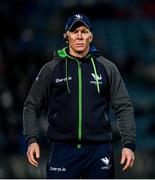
37, 96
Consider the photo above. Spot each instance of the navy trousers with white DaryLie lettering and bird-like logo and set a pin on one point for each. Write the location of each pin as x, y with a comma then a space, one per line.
90, 161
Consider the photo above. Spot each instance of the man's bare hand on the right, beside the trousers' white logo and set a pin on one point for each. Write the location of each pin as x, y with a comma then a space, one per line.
127, 158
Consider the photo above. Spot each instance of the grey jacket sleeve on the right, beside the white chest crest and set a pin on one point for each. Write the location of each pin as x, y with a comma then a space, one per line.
123, 108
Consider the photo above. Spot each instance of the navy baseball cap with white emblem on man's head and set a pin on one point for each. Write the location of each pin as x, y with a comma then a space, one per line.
77, 18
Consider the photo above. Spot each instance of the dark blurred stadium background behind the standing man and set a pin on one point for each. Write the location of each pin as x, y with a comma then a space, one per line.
124, 32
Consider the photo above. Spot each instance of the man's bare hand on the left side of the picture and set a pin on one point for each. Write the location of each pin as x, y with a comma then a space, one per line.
33, 153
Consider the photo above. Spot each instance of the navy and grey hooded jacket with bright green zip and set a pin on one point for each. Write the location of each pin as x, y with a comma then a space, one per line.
79, 93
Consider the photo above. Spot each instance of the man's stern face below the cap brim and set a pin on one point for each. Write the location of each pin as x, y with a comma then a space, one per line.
79, 40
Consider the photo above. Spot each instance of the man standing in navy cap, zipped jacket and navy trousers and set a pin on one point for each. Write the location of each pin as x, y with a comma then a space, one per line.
79, 85
